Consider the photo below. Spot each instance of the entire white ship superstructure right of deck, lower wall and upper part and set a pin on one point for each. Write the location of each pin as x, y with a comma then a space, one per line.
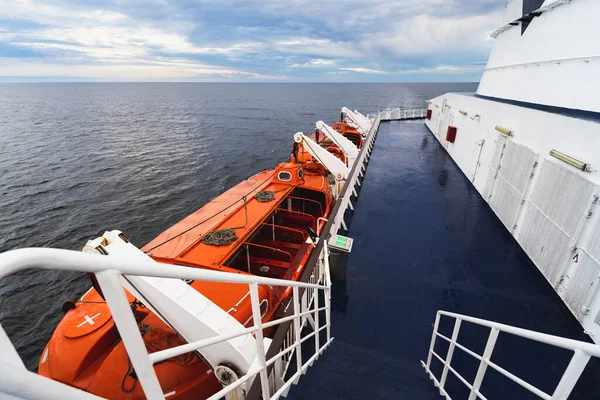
512, 152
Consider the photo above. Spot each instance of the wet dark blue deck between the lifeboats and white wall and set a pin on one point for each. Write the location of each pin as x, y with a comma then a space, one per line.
425, 240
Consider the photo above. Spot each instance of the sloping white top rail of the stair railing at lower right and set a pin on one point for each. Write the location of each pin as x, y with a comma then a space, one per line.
565, 343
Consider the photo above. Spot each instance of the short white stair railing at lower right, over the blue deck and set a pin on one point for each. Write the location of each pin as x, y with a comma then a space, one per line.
582, 352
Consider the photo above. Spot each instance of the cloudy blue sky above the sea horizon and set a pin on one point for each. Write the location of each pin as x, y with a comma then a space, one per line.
253, 40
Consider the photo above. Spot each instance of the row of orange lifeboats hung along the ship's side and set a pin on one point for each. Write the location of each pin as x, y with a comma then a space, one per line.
260, 227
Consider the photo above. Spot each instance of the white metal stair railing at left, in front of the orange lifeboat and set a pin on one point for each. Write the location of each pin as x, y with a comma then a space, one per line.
109, 271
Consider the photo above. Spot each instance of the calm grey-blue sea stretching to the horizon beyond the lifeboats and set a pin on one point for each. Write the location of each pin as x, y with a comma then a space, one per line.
78, 159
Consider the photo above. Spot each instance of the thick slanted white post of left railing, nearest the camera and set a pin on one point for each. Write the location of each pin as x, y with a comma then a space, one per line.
110, 282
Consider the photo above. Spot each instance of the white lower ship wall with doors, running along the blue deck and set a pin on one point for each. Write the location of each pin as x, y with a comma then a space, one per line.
549, 206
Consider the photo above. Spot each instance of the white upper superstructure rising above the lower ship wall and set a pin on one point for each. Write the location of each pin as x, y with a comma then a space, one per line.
554, 62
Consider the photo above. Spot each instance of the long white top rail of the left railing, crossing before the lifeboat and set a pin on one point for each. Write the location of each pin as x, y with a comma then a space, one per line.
69, 260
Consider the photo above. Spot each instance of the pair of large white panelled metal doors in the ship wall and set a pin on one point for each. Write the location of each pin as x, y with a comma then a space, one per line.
550, 210
